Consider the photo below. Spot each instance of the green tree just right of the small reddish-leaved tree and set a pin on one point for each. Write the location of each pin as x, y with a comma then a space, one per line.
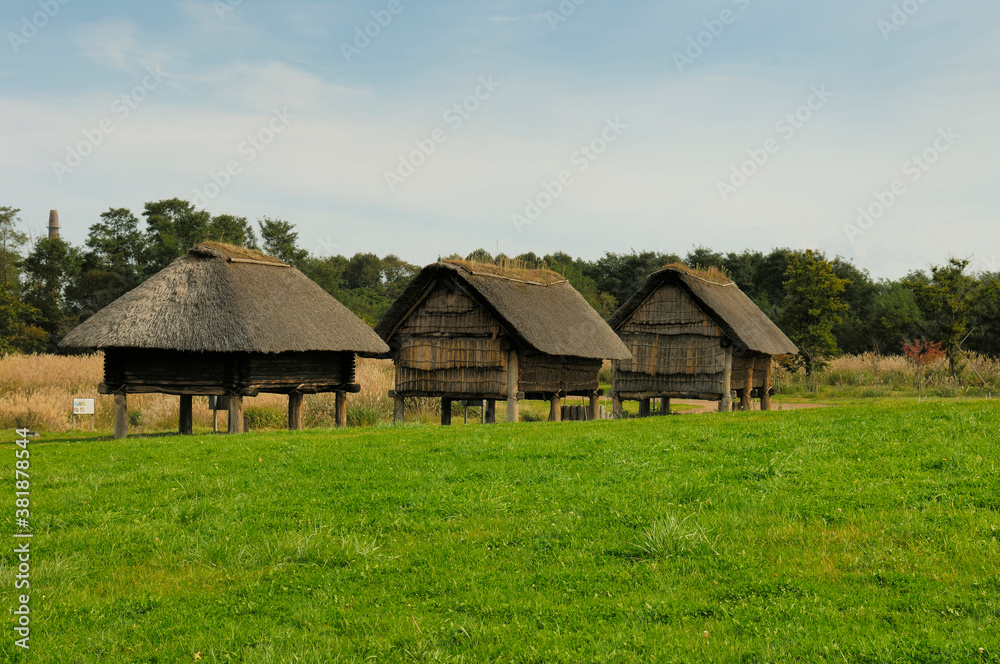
946, 298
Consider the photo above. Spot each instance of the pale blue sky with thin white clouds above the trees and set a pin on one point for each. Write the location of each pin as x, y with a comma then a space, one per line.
163, 97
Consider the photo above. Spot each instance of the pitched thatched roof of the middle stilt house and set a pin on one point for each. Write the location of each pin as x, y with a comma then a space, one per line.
547, 314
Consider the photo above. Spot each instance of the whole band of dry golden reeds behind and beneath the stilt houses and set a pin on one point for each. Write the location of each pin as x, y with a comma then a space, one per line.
37, 391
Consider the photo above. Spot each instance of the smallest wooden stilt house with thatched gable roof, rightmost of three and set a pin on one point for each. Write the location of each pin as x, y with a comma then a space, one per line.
694, 334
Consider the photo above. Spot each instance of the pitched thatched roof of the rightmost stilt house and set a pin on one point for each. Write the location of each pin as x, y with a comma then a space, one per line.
743, 322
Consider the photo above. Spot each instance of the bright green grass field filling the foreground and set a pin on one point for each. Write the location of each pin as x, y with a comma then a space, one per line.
848, 534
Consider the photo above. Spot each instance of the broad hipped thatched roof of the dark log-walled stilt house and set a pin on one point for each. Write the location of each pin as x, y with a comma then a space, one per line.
220, 298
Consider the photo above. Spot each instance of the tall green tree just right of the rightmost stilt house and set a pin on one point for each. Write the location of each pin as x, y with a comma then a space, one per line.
812, 307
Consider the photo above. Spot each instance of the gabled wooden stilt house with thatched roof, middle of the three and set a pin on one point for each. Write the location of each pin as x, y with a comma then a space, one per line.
464, 331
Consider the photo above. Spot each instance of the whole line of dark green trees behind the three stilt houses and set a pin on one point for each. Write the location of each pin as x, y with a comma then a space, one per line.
826, 306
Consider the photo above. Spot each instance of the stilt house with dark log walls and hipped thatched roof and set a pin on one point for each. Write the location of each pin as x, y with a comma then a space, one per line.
227, 321
